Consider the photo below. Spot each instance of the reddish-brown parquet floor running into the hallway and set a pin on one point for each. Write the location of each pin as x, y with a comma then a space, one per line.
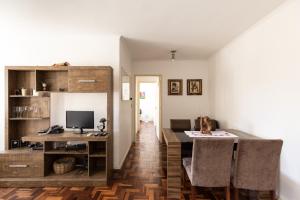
142, 177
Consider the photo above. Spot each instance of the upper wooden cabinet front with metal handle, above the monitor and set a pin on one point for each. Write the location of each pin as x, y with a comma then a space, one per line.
88, 80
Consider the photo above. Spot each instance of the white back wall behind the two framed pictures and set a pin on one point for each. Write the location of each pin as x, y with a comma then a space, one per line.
178, 107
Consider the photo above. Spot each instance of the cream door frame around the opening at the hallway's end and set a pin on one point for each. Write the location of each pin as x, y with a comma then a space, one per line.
160, 103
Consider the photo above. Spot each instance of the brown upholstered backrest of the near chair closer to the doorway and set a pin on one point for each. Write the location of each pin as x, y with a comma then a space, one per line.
211, 162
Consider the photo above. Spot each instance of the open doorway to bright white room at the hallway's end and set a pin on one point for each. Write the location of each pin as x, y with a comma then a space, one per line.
148, 103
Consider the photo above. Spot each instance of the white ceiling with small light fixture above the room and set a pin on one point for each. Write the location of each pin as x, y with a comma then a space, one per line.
196, 28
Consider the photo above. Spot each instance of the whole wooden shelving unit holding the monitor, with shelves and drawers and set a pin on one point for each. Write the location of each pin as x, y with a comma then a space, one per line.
34, 167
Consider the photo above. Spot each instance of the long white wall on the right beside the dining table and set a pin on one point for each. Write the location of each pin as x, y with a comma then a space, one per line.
256, 85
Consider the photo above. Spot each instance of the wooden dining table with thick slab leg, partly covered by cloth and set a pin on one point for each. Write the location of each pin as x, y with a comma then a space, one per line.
174, 142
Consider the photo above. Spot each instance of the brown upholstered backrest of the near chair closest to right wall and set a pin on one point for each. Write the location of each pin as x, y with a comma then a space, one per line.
257, 164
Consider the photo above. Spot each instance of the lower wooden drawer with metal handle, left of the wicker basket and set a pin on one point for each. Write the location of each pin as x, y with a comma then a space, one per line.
21, 165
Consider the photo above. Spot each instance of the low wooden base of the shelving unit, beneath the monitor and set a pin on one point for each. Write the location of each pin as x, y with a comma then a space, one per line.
36, 166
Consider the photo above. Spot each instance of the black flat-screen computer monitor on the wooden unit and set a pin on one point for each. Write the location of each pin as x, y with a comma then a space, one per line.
80, 119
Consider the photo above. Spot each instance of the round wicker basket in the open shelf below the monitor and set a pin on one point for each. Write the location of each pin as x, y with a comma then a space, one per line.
64, 165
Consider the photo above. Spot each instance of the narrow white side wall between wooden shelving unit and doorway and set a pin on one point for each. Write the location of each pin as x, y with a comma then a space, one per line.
126, 112
